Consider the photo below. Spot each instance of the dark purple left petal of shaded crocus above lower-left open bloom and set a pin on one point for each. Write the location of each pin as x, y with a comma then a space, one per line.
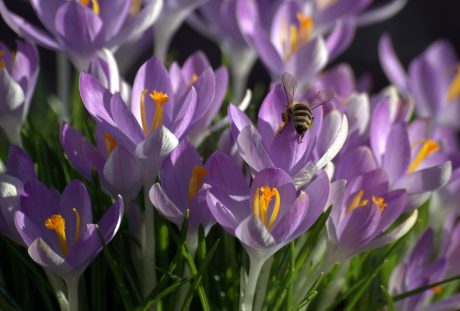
83, 156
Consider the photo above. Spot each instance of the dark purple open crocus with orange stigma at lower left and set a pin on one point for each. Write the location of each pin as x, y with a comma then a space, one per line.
59, 230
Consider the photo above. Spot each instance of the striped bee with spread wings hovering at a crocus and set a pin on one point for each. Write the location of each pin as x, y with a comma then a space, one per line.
300, 112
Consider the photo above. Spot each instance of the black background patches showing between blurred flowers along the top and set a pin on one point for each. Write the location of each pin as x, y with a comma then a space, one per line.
412, 30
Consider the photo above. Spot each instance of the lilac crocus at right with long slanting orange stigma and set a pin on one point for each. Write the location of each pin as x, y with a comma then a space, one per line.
414, 158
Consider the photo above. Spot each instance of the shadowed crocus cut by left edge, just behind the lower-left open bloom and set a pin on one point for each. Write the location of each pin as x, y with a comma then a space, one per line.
19, 169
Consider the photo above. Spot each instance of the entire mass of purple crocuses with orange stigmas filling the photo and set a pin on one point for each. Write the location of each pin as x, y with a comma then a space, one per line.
324, 173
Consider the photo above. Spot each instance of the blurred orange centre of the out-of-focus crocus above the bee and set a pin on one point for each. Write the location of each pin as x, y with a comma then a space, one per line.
299, 35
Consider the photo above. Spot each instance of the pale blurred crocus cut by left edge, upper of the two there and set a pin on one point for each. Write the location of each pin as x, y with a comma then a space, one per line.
18, 76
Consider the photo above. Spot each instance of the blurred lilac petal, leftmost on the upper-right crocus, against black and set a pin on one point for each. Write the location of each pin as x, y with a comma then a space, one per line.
391, 64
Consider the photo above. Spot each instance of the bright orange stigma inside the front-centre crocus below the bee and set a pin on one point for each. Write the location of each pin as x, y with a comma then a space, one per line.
261, 203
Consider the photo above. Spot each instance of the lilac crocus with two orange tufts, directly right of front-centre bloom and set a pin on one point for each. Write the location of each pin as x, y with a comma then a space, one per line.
363, 209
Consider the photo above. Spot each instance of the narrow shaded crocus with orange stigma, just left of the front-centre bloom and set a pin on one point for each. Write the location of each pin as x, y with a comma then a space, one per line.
182, 176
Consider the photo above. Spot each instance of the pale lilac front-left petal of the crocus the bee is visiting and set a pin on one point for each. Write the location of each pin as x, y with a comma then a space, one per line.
252, 149
